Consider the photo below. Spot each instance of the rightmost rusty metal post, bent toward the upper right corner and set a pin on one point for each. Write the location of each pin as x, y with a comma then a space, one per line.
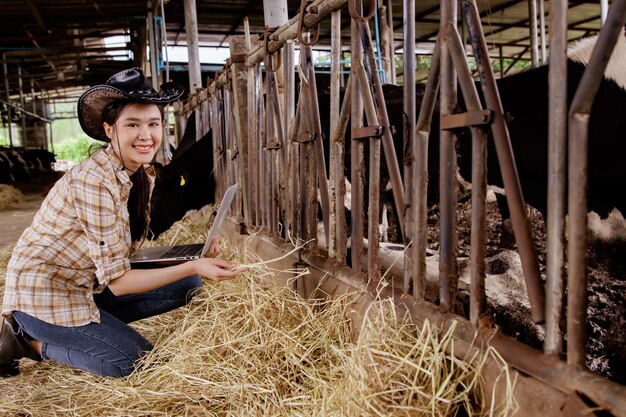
577, 177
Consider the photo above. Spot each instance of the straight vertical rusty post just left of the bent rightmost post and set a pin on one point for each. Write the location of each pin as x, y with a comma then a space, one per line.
557, 151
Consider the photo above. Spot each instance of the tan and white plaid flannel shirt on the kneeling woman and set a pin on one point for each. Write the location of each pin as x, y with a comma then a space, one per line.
79, 241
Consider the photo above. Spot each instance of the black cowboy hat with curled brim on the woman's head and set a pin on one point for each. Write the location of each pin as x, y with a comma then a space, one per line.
130, 84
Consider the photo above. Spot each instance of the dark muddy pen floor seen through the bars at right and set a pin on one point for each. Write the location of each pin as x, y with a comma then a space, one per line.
507, 302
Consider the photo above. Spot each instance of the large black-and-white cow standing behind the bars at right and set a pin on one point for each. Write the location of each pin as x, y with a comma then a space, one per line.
524, 99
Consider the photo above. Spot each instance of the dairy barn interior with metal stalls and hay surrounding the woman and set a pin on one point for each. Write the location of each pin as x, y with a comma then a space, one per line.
428, 207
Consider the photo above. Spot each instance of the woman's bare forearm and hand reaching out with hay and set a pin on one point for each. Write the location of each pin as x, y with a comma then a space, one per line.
142, 280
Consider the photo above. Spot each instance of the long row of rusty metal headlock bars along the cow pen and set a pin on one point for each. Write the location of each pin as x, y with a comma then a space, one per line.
268, 137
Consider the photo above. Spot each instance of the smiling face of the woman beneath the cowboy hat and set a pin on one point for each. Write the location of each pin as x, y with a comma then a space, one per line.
136, 135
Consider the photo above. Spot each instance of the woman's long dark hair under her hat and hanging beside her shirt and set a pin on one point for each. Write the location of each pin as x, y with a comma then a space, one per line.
139, 199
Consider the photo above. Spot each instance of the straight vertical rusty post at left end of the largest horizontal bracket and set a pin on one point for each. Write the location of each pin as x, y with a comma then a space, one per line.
448, 275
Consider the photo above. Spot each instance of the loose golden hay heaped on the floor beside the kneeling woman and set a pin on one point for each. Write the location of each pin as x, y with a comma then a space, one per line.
247, 348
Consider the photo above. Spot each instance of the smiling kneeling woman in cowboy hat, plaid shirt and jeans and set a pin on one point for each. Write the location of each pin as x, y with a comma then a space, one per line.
70, 291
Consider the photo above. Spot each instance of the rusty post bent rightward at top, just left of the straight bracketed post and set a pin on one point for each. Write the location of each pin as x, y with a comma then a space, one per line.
419, 210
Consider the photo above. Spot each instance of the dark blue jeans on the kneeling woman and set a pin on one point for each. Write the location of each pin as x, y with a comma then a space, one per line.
111, 347
